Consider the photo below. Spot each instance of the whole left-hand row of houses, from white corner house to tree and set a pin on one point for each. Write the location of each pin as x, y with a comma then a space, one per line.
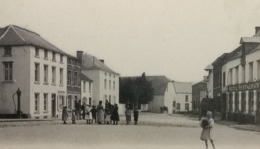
48, 77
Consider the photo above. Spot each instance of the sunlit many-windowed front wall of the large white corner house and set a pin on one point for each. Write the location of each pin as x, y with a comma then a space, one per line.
47, 88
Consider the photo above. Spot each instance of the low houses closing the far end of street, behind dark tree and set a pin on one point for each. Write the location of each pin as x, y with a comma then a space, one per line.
176, 97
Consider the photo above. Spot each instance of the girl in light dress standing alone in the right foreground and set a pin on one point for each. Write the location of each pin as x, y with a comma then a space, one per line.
207, 130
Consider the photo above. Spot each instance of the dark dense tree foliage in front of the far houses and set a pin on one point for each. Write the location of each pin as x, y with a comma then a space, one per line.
135, 91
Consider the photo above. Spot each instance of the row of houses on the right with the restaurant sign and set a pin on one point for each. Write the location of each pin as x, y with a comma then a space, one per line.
236, 82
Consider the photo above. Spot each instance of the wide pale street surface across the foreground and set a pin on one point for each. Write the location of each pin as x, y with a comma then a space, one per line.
153, 131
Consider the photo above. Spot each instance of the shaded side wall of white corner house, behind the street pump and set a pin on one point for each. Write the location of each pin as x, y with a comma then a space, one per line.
21, 78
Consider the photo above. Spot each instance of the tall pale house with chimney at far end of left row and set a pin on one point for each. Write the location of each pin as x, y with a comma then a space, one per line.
105, 80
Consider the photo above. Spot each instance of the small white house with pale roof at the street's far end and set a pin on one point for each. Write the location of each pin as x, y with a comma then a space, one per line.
182, 100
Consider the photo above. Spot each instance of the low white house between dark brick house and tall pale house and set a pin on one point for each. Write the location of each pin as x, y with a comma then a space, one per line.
86, 89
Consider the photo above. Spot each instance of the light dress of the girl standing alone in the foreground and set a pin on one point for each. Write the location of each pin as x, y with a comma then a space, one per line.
207, 132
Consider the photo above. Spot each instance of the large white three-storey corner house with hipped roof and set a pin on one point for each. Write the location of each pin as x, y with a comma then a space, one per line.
35, 66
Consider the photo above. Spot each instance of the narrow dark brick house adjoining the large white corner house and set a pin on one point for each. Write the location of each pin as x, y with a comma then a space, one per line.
73, 82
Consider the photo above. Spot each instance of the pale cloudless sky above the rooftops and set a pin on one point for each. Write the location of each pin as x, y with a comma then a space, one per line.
175, 38
